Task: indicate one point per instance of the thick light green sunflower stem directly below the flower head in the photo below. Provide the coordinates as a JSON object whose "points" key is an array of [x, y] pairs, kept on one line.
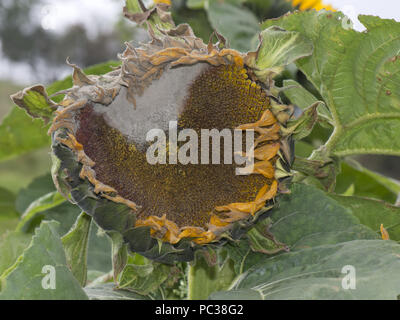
{"points": [[204, 277]]}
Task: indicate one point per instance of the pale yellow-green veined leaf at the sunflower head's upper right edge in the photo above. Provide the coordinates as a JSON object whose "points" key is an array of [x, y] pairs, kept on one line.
{"points": [[279, 48]]}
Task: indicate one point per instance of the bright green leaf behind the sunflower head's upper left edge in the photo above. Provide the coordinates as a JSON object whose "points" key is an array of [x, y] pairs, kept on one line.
{"points": [[20, 134]]}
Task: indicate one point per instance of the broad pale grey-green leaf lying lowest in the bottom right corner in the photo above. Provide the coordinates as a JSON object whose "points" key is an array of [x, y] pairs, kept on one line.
{"points": [[318, 273]]}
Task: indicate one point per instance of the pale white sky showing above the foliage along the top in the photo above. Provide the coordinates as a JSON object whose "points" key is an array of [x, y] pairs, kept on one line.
{"points": [[98, 15]]}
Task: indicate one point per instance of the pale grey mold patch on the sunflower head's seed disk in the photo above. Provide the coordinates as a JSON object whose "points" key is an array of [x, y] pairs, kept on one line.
{"points": [[160, 103]]}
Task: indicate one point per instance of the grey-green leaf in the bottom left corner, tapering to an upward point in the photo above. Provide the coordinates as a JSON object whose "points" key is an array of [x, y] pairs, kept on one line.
{"points": [[25, 279]]}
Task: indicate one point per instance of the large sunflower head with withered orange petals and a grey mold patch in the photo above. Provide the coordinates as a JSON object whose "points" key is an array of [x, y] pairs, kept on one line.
{"points": [[180, 147]]}
